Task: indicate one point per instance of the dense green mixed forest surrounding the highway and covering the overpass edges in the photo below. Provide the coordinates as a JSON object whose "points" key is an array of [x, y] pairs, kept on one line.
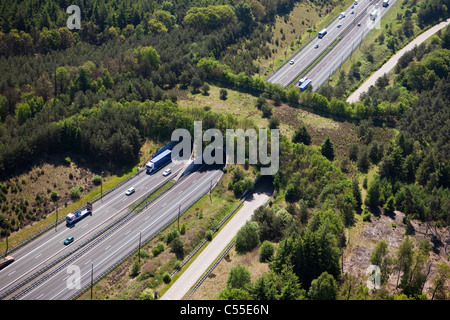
{"points": [[102, 91]]}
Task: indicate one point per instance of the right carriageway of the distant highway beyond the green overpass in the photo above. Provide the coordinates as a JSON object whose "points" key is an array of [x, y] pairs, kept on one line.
{"points": [[353, 37]]}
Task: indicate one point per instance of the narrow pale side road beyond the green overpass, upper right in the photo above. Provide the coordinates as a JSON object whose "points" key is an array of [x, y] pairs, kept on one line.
{"points": [[388, 66]]}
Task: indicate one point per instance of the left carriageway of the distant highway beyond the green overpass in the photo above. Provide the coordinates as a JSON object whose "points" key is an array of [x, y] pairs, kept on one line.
{"points": [[309, 53]]}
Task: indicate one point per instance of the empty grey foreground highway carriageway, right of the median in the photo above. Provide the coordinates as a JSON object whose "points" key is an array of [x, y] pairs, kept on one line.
{"points": [[118, 244]]}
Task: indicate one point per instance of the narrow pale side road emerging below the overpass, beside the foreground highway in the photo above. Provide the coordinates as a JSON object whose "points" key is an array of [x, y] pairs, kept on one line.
{"points": [[196, 269]]}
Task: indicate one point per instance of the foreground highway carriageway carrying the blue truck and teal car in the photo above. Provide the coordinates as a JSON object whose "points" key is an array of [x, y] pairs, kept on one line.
{"points": [[49, 246]]}
